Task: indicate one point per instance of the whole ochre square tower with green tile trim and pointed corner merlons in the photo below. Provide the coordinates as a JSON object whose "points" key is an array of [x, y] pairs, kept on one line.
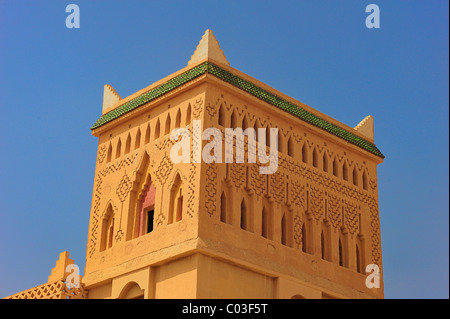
{"points": [[160, 229]]}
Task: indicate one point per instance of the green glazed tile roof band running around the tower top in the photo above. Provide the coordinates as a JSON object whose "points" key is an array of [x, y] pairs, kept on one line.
{"points": [[208, 67]]}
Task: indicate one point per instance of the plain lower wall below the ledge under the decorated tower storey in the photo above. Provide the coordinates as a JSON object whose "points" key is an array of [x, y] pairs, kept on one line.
{"points": [[204, 277]]}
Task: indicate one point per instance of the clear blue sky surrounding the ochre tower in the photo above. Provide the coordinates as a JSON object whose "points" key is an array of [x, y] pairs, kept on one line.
{"points": [[319, 52]]}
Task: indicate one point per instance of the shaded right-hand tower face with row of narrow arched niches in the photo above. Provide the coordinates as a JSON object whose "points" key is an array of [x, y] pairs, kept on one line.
{"points": [[317, 214]]}
